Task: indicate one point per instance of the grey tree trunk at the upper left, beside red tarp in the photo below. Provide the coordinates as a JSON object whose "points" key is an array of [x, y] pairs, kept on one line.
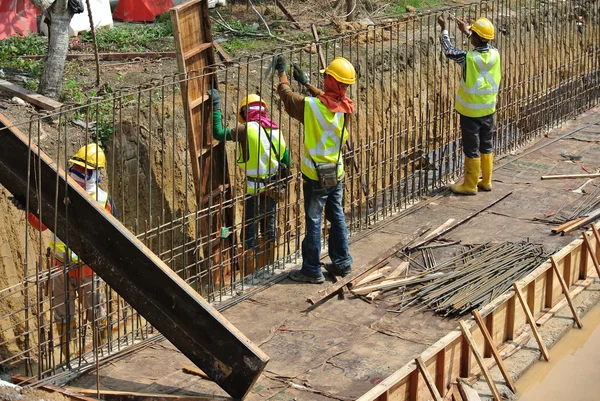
{"points": [[58, 46]]}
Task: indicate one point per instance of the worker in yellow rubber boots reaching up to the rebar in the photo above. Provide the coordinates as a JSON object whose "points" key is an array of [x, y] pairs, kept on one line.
{"points": [[475, 101]]}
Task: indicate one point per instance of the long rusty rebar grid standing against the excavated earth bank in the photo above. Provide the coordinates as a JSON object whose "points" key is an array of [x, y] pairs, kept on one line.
{"points": [[406, 143]]}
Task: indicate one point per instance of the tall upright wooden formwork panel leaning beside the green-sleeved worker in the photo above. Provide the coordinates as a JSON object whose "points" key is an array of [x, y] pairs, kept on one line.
{"points": [[195, 55]]}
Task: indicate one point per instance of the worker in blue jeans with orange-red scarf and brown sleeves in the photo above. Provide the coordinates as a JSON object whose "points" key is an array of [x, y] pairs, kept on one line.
{"points": [[324, 116]]}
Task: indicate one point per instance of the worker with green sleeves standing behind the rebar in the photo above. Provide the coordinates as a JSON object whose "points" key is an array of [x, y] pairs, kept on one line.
{"points": [[262, 155]]}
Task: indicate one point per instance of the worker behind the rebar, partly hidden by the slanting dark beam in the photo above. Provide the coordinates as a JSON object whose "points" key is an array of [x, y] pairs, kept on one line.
{"points": [[70, 277]]}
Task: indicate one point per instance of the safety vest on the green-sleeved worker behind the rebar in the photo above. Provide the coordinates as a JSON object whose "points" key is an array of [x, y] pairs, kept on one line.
{"points": [[262, 161]]}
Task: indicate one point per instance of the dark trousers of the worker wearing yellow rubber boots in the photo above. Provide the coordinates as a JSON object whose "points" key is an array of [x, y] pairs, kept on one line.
{"points": [[477, 135]]}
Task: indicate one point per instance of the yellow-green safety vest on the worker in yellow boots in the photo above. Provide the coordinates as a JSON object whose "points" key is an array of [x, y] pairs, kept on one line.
{"points": [[478, 90]]}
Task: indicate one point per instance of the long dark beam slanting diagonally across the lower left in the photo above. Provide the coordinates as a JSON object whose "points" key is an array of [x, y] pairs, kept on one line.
{"points": [[187, 320]]}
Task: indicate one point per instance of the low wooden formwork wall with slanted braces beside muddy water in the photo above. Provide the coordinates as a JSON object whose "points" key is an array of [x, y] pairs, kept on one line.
{"points": [[504, 318]]}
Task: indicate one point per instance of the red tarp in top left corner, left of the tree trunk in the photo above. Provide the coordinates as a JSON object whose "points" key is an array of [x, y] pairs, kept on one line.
{"points": [[17, 17]]}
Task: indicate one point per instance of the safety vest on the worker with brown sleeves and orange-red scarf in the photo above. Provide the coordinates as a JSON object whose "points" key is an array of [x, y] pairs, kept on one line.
{"points": [[322, 135]]}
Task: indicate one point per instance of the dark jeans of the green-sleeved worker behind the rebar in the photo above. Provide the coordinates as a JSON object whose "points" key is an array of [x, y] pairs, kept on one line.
{"points": [[260, 210]]}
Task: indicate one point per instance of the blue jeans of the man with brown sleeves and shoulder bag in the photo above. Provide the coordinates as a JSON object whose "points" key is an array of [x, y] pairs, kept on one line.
{"points": [[314, 201]]}
